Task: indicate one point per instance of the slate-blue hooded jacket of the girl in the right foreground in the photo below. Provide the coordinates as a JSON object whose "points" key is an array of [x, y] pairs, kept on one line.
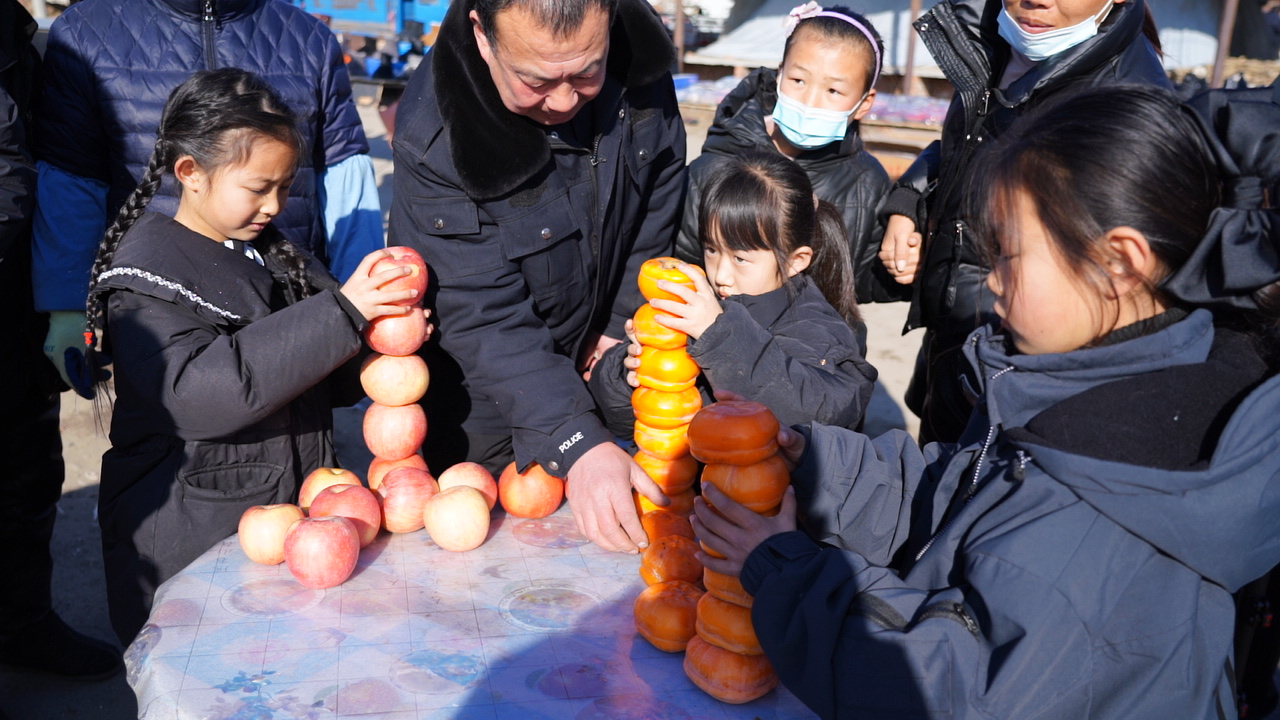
{"points": [[1073, 558]]}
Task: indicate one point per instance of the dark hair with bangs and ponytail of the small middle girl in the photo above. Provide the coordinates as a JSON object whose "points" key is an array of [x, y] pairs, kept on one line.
{"points": [[761, 200]]}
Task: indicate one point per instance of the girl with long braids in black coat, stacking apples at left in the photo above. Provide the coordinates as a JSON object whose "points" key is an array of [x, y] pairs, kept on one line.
{"points": [[223, 335]]}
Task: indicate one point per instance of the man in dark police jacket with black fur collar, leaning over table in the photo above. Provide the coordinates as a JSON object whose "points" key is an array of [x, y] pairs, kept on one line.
{"points": [[540, 161]]}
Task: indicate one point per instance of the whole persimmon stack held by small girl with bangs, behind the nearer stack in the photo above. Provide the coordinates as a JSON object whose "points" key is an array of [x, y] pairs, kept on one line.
{"points": [[665, 404]]}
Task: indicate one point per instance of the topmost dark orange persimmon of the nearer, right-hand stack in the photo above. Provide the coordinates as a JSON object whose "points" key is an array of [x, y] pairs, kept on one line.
{"points": [[737, 432]]}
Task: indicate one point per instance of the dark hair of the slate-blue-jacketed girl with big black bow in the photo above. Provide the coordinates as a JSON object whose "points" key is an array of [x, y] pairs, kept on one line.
{"points": [[1103, 160]]}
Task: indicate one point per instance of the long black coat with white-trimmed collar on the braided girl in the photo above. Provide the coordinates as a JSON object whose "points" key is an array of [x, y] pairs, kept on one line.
{"points": [[222, 400]]}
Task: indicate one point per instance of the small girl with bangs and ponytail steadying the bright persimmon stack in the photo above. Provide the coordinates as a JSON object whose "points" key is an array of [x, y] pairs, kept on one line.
{"points": [[775, 317]]}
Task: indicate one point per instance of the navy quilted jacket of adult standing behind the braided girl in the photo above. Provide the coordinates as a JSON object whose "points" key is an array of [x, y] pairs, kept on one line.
{"points": [[111, 66]]}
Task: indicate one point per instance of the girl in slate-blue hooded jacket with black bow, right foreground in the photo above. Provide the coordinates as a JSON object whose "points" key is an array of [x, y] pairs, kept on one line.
{"points": [[1076, 554]]}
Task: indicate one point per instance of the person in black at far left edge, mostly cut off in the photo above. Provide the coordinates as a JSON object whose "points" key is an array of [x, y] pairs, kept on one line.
{"points": [[33, 637]]}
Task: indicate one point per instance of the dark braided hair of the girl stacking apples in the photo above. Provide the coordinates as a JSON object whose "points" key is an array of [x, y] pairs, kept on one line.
{"points": [[216, 117]]}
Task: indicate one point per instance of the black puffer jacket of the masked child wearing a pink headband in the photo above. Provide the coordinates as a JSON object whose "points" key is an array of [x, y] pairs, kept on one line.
{"points": [[844, 175]]}
